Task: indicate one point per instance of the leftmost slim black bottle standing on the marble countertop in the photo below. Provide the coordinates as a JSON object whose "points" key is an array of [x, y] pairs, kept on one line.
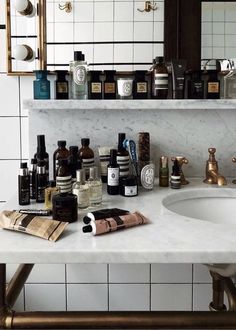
{"points": [[24, 185]]}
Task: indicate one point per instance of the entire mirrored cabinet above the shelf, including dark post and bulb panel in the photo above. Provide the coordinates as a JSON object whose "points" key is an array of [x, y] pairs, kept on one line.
{"points": [[188, 26]]}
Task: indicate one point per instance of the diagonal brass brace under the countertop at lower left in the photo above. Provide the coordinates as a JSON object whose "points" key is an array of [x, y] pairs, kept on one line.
{"points": [[17, 282]]}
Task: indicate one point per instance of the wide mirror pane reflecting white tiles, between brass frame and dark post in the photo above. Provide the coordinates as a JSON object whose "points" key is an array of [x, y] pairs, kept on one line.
{"points": [[106, 21]]}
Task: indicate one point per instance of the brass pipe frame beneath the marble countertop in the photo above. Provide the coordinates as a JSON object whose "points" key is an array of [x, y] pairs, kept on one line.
{"points": [[217, 319]]}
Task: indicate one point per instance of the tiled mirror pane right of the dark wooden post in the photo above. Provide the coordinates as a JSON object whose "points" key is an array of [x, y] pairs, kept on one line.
{"points": [[218, 30]]}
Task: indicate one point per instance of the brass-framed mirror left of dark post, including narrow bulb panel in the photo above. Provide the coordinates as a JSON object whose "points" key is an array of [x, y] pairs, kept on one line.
{"points": [[116, 34]]}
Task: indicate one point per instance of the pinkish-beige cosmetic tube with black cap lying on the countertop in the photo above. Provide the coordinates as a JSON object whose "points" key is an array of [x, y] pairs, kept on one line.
{"points": [[112, 224]]}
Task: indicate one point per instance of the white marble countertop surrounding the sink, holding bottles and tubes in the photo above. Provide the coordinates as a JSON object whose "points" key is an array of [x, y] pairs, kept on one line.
{"points": [[167, 239]]}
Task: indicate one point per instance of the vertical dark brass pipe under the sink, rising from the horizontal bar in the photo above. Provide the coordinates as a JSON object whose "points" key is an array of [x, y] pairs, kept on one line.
{"points": [[218, 288]]}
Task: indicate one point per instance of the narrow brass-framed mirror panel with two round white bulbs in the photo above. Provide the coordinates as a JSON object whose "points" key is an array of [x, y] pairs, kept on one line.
{"points": [[25, 31]]}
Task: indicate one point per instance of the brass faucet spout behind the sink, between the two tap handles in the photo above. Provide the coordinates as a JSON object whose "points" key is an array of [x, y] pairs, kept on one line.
{"points": [[212, 174]]}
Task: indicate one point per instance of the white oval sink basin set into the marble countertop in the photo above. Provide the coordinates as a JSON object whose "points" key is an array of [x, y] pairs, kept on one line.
{"points": [[217, 205]]}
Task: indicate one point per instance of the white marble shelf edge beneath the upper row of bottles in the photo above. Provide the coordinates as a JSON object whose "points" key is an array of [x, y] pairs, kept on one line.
{"points": [[128, 104]]}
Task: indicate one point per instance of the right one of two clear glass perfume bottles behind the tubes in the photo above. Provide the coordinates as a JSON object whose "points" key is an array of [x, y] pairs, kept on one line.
{"points": [[95, 187]]}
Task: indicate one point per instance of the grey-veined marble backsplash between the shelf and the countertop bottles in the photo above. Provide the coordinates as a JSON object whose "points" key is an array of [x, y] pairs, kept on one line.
{"points": [[186, 132]]}
